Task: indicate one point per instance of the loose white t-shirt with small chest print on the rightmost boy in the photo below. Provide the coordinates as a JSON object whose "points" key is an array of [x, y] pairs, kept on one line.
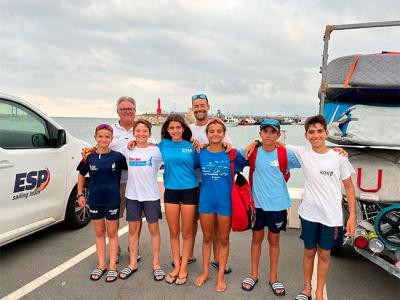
{"points": [[323, 173]]}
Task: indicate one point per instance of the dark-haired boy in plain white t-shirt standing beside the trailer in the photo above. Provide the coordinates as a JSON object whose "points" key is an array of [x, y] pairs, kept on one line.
{"points": [[320, 210]]}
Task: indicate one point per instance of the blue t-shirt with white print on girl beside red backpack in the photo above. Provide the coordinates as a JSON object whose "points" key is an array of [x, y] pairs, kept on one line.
{"points": [[217, 176]]}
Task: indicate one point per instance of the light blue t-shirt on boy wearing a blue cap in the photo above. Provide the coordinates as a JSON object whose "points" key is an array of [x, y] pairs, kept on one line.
{"points": [[269, 187]]}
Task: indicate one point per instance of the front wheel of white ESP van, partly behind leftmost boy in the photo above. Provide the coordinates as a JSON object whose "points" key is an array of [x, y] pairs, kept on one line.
{"points": [[76, 216]]}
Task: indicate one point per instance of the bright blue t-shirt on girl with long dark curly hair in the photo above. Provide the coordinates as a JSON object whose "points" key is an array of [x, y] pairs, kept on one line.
{"points": [[179, 164]]}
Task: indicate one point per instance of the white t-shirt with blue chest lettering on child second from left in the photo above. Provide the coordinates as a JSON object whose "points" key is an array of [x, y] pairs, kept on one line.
{"points": [[143, 165]]}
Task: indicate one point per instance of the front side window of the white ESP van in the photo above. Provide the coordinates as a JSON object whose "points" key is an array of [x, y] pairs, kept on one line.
{"points": [[21, 128]]}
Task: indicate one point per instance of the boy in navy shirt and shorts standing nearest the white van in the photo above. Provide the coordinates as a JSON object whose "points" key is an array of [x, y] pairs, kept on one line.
{"points": [[104, 167]]}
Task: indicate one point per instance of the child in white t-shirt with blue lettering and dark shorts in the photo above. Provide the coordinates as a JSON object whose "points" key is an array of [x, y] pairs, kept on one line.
{"points": [[143, 196]]}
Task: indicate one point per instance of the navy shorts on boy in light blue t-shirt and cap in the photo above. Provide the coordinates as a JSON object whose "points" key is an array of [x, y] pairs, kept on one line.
{"points": [[276, 221]]}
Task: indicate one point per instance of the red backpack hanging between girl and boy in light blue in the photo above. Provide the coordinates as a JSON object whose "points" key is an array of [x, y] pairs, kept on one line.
{"points": [[243, 208]]}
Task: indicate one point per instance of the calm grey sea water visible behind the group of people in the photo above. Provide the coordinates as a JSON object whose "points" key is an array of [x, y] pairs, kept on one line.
{"points": [[241, 136]]}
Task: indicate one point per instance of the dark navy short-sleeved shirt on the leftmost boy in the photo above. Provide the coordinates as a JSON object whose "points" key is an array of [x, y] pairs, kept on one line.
{"points": [[105, 176]]}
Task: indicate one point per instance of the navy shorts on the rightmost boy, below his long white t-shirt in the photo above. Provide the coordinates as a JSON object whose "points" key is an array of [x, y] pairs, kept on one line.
{"points": [[318, 235]]}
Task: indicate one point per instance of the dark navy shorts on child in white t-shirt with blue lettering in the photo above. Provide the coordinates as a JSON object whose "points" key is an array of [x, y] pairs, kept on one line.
{"points": [[151, 210]]}
